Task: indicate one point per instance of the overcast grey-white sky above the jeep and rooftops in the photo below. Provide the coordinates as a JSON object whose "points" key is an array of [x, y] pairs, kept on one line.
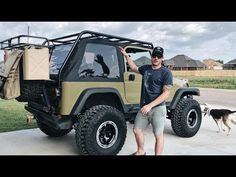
{"points": [[198, 40]]}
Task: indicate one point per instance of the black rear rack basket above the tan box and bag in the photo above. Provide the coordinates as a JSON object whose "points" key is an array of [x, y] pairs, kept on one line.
{"points": [[22, 41]]}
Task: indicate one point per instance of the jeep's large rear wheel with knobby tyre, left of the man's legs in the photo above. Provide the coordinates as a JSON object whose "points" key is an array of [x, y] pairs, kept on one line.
{"points": [[101, 131]]}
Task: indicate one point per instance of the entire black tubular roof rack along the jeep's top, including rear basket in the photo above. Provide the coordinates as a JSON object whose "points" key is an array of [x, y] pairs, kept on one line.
{"points": [[20, 41]]}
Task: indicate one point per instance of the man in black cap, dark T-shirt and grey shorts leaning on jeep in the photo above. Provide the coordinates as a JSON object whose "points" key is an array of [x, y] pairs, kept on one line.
{"points": [[156, 85]]}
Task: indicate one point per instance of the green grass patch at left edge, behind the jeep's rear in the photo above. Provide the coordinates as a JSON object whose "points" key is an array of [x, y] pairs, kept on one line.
{"points": [[13, 116]]}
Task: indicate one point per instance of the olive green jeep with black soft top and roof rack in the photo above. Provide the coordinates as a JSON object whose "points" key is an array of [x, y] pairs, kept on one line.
{"points": [[82, 82]]}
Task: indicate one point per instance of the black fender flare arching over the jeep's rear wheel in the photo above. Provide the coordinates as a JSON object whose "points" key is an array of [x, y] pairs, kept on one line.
{"points": [[90, 91]]}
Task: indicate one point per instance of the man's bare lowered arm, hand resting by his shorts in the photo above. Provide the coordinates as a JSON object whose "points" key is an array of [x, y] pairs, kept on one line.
{"points": [[163, 97]]}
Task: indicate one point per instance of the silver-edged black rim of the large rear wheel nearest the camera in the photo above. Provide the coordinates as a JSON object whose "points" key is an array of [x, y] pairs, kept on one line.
{"points": [[107, 134]]}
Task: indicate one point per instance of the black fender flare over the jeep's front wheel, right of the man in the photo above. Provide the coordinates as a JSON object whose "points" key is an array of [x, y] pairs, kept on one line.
{"points": [[180, 93]]}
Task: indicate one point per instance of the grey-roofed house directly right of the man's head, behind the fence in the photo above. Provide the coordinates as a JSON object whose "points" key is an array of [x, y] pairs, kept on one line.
{"points": [[183, 62]]}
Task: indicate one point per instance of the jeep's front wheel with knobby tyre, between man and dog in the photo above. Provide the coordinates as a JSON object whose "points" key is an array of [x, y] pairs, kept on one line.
{"points": [[186, 118]]}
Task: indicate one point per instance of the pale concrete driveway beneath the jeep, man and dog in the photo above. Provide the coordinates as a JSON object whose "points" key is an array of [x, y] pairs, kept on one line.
{"points": [[205, 142]]}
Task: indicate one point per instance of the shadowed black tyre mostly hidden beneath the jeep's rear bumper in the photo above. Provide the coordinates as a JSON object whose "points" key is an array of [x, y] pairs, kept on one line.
{"points": [[50, 131]]}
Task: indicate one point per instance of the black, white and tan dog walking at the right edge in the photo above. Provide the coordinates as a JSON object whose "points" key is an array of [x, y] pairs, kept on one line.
{"points": [[219, 115]]}
